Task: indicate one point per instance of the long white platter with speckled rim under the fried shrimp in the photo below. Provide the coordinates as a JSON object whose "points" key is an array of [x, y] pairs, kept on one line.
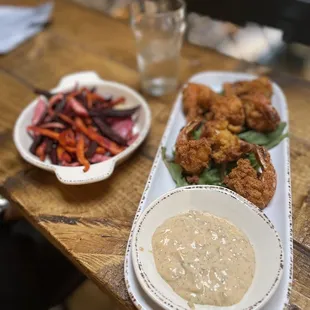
{"points": [[279, 210]]}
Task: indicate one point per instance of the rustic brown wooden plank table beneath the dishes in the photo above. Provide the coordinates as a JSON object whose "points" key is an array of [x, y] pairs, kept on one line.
{"points": [[90, 224]]}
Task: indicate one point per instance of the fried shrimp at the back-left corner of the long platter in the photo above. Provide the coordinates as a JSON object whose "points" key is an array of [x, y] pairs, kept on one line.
{"points": [[196, 100]]}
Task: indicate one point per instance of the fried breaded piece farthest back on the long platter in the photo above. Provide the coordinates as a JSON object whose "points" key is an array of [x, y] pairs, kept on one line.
{"points": [[261, 85]]}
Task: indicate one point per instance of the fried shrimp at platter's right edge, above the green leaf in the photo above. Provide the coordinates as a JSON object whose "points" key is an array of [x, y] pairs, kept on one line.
{"points": [[260, 115]]}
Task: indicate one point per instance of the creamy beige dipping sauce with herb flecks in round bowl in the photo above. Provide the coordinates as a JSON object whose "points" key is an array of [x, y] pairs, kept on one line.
{"points": [[205, 259]]}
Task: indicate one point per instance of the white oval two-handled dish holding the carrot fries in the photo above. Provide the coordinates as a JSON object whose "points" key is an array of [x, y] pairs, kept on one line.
{"points": [[100, 171]]}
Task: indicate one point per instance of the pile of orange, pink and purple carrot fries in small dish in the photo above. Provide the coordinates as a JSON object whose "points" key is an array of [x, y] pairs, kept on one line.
{"points": [[76, 127]]}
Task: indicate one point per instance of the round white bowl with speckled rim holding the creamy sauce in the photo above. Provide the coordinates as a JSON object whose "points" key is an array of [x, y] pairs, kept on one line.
{"points": [[223, 203]]}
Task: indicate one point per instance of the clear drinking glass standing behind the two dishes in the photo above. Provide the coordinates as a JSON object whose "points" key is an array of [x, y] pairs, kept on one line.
{"points": [[158, 26]]}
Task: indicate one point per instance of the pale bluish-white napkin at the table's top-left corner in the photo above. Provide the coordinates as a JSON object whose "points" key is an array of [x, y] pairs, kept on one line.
{"points": [[18, 24]]}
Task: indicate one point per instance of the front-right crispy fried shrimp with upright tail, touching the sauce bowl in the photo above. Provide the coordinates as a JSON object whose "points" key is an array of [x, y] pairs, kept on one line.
{"points": [[257, 187]]}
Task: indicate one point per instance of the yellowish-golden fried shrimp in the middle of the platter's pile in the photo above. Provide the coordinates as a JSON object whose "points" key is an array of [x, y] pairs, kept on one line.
{"points": [[226, 147]]}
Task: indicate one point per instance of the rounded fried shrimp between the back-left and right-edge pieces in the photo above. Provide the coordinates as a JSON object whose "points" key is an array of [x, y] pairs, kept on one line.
{"points": [[228, 108]]}
